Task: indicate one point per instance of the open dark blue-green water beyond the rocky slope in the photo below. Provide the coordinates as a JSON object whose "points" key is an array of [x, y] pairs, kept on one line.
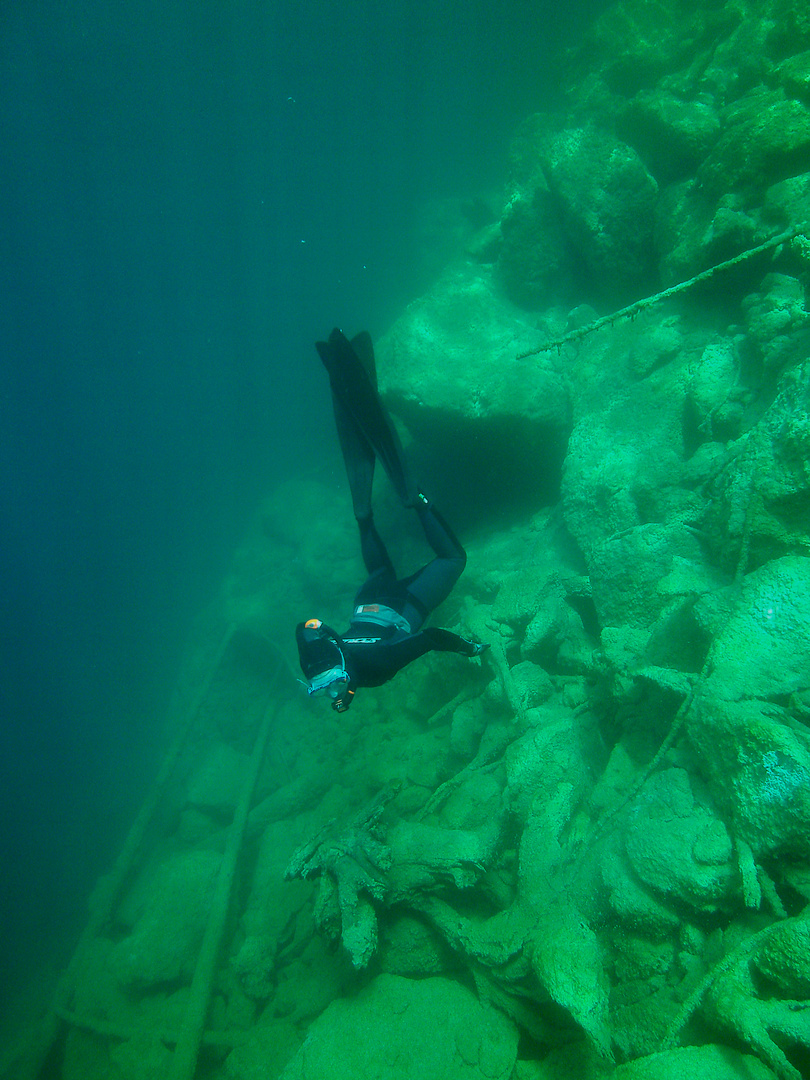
{"points": [[192, 194]]}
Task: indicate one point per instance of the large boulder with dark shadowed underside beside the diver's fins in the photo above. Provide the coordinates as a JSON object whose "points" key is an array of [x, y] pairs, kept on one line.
{"points": [[450, 371]]}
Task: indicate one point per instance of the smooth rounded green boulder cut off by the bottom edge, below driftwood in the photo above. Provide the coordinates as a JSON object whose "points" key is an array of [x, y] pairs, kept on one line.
{"points": [[408, 1031]]}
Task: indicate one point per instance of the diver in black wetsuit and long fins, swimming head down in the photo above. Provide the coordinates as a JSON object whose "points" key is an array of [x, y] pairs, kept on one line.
{"points": [[386, 631]]}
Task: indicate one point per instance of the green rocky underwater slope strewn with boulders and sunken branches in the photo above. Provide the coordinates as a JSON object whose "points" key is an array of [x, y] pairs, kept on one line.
{"points": [[589, 855]]}
